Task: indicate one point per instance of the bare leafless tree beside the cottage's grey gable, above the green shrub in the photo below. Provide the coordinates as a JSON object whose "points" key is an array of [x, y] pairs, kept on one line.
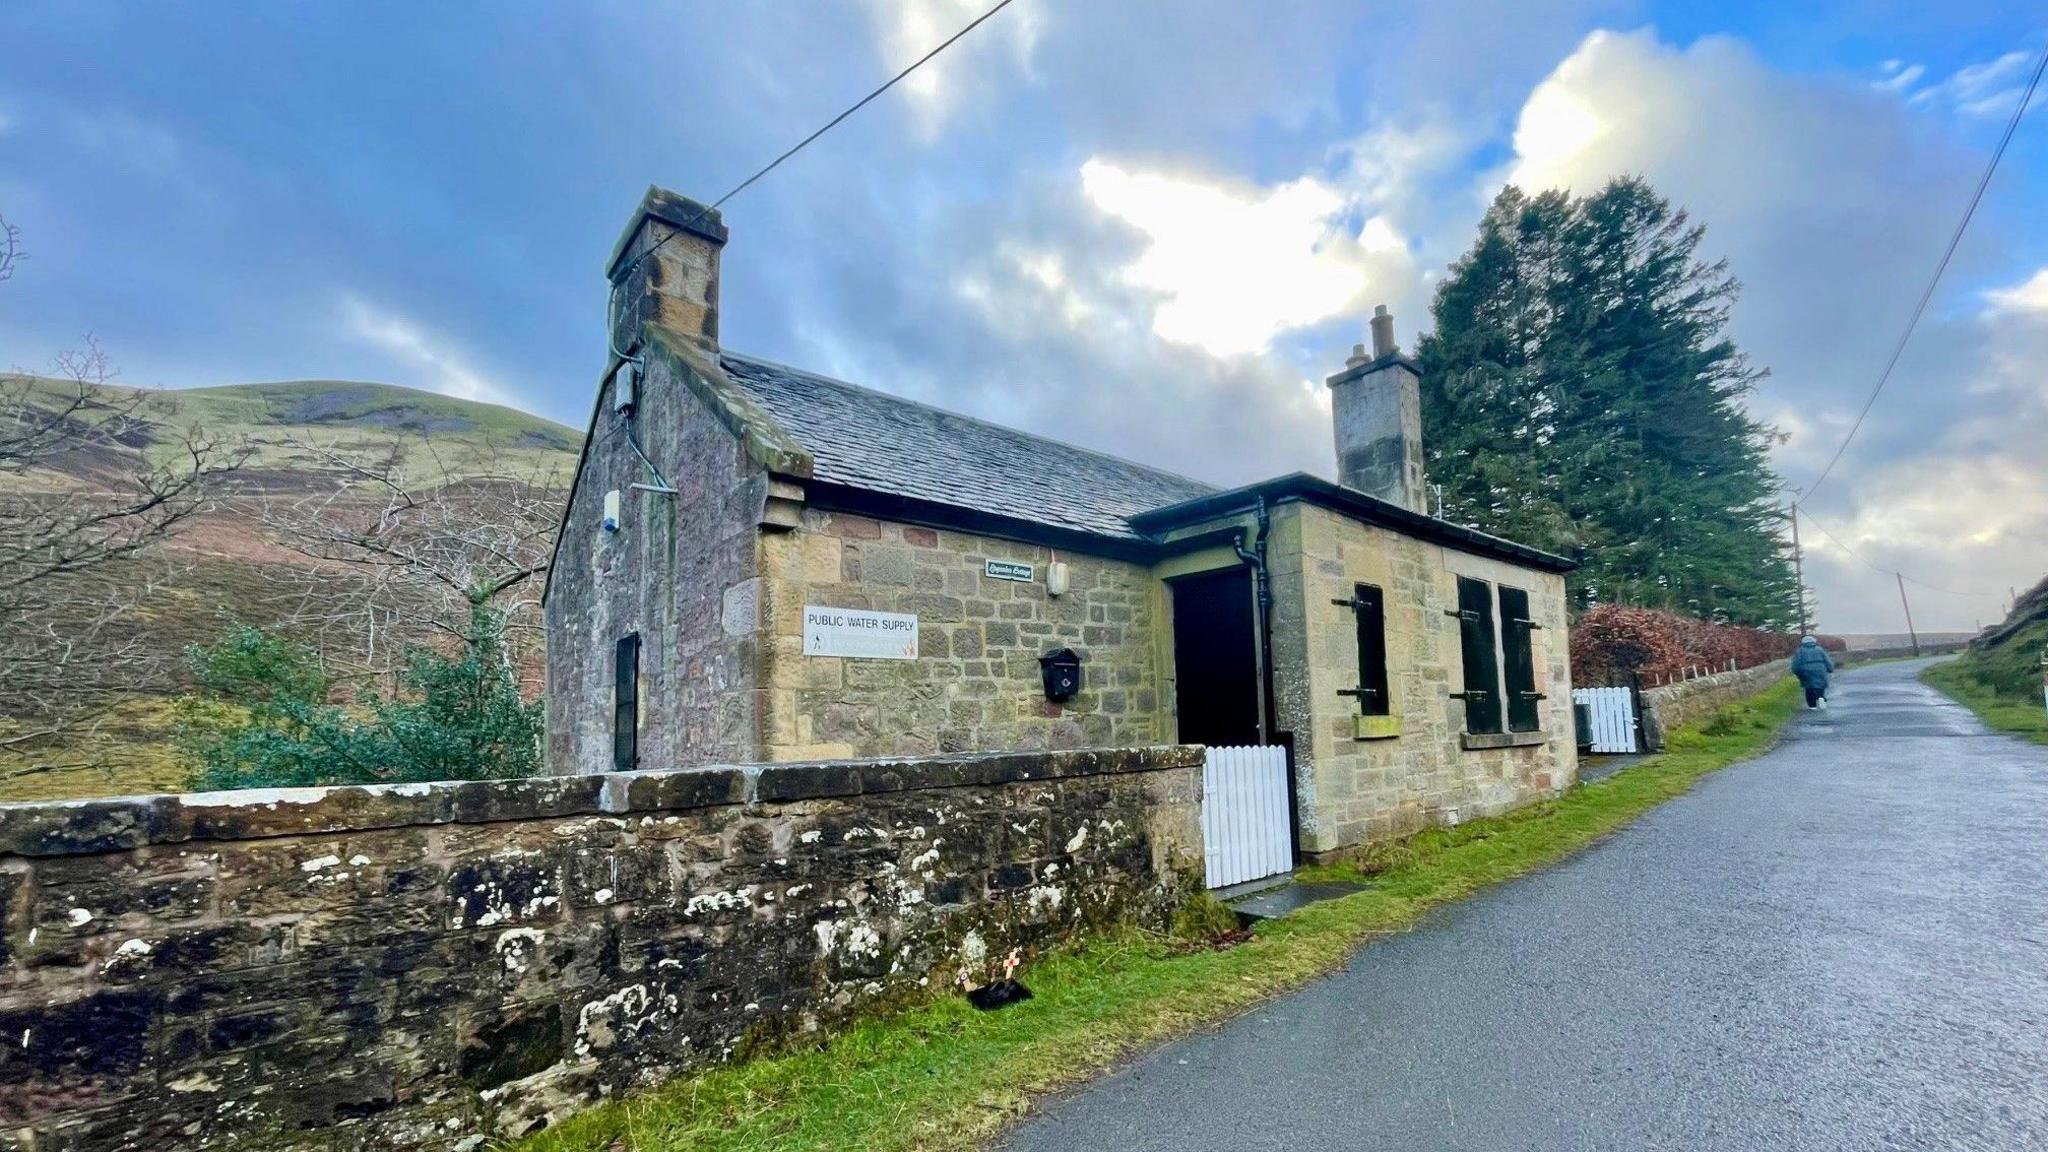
{"points": [[404, 552]]}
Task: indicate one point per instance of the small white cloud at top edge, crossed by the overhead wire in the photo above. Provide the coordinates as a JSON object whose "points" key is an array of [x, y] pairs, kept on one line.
{"points": [[906, 30]]}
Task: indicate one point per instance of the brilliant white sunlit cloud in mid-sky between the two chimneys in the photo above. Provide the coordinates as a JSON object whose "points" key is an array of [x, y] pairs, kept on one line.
{"points": [[1234, 268]]}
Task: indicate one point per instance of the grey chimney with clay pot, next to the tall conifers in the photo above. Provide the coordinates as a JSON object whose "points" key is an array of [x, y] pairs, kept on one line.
{"points": [[1377, 411]]}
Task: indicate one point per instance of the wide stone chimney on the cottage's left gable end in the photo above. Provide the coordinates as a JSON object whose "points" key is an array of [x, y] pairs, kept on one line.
{"points": [[679, 284]]}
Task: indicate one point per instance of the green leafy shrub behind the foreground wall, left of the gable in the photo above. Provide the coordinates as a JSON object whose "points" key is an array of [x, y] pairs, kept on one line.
{"points": [[265, 714]]}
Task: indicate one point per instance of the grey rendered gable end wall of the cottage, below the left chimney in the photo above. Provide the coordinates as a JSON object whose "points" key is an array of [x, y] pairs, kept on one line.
{"points": [[665, 575]]}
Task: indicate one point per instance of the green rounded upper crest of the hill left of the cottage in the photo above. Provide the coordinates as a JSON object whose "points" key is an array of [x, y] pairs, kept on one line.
{"points": [[292, 423]]}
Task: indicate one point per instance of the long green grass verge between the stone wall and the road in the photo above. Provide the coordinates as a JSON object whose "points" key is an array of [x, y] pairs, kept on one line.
{"points": [[947, 1077]]}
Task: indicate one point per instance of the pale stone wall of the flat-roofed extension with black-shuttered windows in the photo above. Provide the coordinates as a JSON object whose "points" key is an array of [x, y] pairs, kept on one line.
{"points": [[1355, 790]]}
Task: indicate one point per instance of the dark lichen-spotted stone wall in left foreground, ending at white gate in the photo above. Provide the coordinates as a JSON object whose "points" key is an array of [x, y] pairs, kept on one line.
{"points": [[435, 966]]}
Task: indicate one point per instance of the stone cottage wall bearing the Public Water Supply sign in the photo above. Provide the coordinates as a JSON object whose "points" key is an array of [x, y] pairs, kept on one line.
{"points": [[976, 682]]}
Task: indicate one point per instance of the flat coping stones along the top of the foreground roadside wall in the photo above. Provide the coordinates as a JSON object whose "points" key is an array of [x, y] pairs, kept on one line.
{"points": [[91, 827]]}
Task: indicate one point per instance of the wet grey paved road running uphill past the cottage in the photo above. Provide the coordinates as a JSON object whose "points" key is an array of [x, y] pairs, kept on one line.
{"points": [[1838, 946]]}
